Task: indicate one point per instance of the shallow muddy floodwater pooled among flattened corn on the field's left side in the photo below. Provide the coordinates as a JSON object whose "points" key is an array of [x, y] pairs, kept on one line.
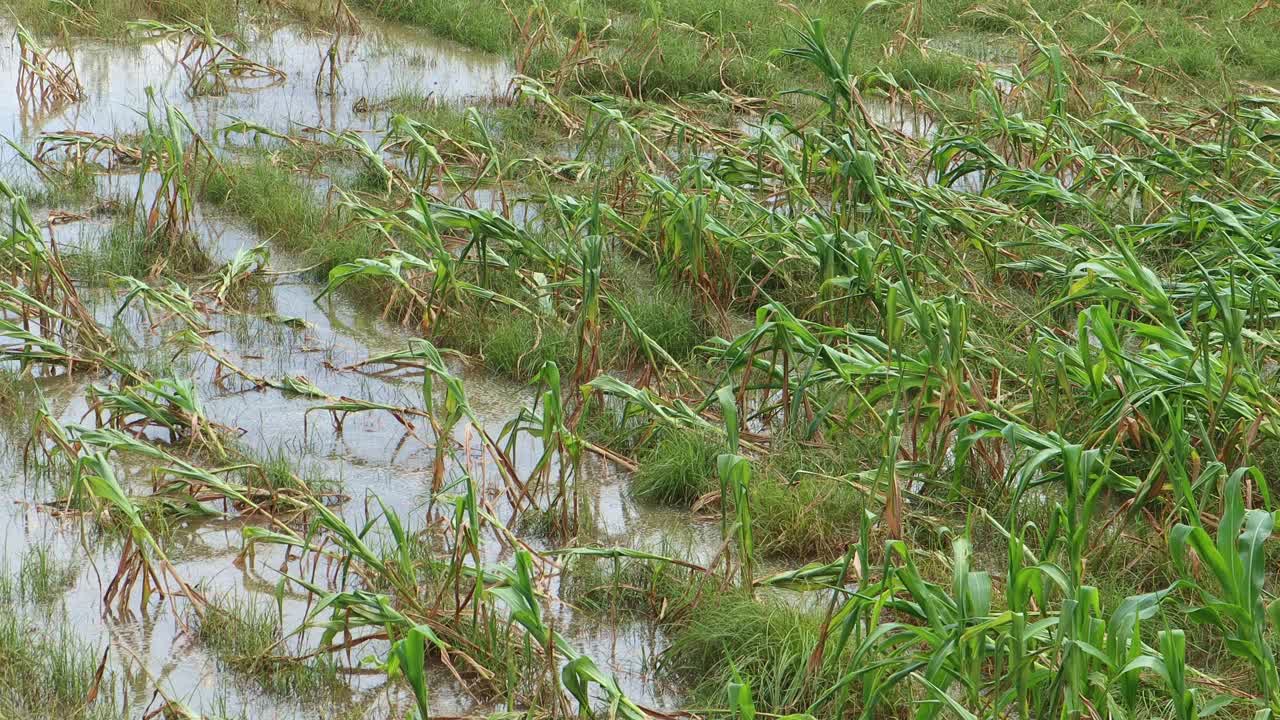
{"points": [[369, 455]]}
